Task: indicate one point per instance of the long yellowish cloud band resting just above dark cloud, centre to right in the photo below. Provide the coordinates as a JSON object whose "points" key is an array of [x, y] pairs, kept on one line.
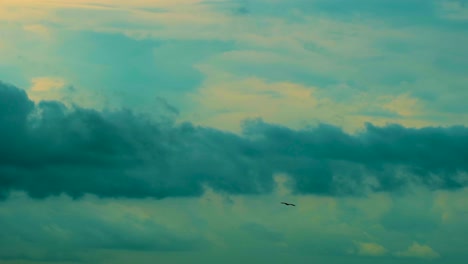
{"points": [[224, 100]]}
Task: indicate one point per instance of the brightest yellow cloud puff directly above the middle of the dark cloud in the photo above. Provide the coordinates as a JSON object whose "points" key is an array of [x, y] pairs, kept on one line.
{"points": [[233, 101]]}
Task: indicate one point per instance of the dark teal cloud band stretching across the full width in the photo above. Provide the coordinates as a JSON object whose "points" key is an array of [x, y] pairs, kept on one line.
{"points": [[48, 149]]}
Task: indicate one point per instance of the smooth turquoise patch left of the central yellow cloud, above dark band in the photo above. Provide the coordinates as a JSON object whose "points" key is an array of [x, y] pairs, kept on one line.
{"points": [[162, 68]]}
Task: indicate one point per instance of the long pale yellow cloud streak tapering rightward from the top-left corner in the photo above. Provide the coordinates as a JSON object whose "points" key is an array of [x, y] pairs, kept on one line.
{"points": [[188, 19]]}
